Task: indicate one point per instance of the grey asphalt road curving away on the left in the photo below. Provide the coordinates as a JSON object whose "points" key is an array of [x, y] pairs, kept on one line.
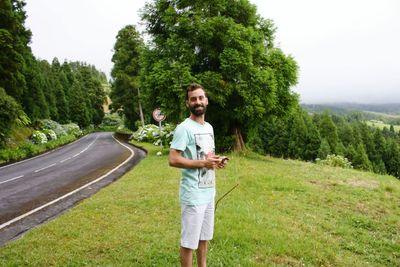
{"points": [[29, 184]]}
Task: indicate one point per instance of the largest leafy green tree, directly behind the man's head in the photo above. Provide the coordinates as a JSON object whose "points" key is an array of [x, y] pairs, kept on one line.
{"points": [[229, 49]]}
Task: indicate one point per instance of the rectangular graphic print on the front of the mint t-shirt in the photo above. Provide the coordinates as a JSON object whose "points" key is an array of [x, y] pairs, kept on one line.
{"points": [[205, 149]]}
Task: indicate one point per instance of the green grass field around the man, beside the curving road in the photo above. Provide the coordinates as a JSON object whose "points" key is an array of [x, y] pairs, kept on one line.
{"points": [[283, 213]]}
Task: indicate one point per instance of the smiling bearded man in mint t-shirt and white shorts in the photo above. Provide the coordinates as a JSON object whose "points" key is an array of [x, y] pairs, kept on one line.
{"points": [[192, 150]]}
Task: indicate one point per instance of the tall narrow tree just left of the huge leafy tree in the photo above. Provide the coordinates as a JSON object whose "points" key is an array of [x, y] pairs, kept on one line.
{"points": [[125, 74]]}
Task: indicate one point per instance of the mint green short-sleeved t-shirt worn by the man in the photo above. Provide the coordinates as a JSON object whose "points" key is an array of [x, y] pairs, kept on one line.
{"points": [[196, 141]]}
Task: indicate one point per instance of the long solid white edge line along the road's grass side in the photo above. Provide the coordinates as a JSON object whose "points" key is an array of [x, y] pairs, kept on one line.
{"points": [[70, 193]]}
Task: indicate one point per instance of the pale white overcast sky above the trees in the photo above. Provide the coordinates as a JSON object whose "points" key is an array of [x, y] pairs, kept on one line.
{"points": [[347, 50]]}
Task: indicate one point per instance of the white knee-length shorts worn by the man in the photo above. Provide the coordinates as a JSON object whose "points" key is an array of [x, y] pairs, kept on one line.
{"points": [[197, 223]]}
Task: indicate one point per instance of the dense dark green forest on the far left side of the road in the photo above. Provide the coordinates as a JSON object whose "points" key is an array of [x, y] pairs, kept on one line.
{"points": [[33, 89]]}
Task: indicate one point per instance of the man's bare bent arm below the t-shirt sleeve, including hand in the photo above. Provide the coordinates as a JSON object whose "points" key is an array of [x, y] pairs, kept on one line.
{"points": [[177, 160]]}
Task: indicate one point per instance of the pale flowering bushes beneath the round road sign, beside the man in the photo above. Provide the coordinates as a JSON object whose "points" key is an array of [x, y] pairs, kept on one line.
{"points": [[151, 133]]}
